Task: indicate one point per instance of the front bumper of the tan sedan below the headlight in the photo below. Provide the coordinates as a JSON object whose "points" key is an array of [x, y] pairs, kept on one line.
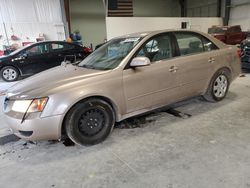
{"points": [[47, 128]]}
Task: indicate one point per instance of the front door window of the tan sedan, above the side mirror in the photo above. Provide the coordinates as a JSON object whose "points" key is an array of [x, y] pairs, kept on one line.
{"points": [[156, 49]]}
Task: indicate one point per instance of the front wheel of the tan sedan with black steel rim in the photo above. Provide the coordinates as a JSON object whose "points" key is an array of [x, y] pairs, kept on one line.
{"points": [[90, 122]]}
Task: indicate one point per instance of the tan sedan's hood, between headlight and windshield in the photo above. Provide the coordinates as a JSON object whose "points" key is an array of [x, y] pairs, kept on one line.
{"points": [[51, 81]]}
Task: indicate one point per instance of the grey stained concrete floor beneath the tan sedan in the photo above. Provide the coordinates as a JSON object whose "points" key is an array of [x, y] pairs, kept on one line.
{"points": [[211, 149]]}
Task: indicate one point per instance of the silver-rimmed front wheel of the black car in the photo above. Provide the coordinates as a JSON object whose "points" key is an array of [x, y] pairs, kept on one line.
{"points": [[10, 74]]}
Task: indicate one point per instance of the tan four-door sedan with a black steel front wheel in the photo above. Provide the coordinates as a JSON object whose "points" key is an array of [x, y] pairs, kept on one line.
{"points": [[127, 76]]}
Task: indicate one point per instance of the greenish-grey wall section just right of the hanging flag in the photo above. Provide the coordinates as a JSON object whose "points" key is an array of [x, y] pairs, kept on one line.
{"points": [[156, 8]]}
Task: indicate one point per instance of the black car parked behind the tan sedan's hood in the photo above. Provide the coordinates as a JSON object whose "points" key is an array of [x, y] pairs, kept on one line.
{"points": [[38, 57]]}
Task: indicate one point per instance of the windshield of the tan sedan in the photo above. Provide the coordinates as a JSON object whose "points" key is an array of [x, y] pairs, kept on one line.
{"points": [[110, 55]]}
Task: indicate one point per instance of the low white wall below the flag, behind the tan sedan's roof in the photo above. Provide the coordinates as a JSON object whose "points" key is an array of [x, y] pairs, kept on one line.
{"points": [[120, 26]]}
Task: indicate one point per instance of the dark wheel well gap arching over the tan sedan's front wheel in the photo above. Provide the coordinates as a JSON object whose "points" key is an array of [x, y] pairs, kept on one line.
{"points": [[110, 102]]}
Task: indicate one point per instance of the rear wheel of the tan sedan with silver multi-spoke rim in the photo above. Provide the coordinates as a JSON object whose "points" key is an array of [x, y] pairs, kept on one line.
{"points": [[213, 95]]}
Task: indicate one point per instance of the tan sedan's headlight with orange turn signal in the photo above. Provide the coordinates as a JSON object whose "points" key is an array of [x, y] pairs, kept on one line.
{"points": [[30, 106]]}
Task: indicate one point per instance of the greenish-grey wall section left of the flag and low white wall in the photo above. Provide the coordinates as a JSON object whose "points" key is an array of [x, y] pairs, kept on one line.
{"points": [[88, 16]]}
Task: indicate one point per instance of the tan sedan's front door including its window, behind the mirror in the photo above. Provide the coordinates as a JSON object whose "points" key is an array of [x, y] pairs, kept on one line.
{"points": [[155, 85]]}
